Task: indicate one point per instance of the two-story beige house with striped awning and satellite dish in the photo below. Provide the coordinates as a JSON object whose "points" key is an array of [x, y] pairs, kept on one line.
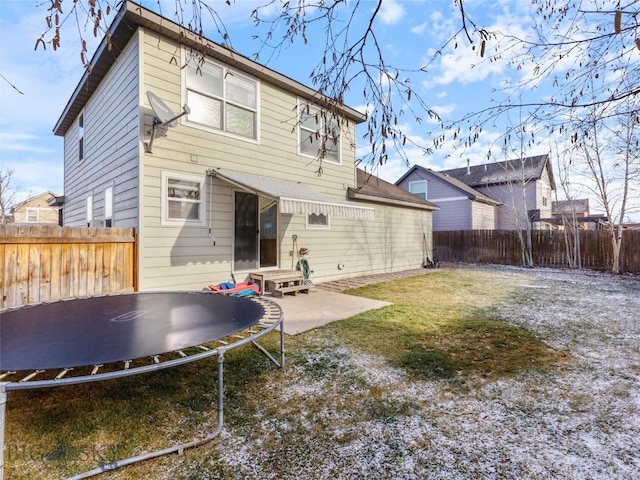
{"points": [[230, 187]]}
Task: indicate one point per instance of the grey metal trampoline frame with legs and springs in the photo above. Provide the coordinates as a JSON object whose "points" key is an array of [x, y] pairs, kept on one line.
{"points": [[272, 318]]}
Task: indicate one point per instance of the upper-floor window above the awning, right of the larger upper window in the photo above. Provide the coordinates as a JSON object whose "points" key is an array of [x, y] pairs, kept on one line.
{"points": [[319, 133]]}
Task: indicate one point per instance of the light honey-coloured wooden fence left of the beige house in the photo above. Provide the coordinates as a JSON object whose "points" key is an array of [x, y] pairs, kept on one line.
{"points": [[46, 262]]}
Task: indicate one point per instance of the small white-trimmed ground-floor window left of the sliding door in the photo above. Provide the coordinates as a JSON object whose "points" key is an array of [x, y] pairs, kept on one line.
{"points": [[182, 199]]}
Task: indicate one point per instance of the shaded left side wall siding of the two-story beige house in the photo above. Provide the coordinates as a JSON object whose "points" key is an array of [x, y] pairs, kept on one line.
{"points": [[110, 147]]}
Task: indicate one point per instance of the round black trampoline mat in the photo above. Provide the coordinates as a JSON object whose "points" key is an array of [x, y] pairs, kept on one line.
{"points": [[100, 330]]}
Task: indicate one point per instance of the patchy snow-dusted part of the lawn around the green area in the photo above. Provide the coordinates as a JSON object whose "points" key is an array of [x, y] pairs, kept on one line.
{"points": [[347, 415]]}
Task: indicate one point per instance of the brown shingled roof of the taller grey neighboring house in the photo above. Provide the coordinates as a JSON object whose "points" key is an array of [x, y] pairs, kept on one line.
{"points": [[528, 168]]}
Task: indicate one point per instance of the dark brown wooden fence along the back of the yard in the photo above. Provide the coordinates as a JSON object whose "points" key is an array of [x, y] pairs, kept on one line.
{"points": [[549, 248]]}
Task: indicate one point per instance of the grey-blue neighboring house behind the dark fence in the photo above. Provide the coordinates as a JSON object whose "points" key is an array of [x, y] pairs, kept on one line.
{"points": [[501, 195]]}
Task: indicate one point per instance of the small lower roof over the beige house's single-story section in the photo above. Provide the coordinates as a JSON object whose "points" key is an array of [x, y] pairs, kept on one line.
{"points": [[375, 189]]}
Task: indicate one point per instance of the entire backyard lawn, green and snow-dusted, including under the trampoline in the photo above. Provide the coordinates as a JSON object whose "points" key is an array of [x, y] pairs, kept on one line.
{"points": [[471, 373]]}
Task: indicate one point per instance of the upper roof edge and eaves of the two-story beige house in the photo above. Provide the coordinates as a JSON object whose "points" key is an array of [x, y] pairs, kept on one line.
{"points": [[126, 22]]}
